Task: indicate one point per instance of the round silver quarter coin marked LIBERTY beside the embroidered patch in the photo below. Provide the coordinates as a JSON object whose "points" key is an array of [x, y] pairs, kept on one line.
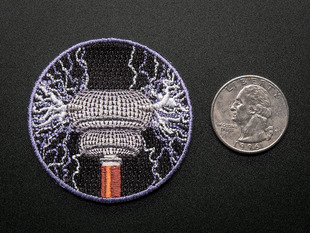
{"points": [[249, 114]]}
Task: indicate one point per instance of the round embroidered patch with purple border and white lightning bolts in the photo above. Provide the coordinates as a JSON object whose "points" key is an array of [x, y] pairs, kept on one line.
{"points": [[110, 120]]}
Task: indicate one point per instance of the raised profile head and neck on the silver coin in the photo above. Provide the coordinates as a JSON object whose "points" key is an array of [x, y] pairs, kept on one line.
{"points": [[251, 112]]}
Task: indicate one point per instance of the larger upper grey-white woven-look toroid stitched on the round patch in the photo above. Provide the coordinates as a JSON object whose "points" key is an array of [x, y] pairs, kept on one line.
{"points": [[93, 109]]}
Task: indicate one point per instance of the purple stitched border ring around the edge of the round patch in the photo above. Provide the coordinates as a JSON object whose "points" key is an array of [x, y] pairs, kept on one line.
{"points": [[91, 197]]}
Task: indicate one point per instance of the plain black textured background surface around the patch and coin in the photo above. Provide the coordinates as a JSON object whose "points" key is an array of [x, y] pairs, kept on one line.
{"points": [[208, 42]]}
